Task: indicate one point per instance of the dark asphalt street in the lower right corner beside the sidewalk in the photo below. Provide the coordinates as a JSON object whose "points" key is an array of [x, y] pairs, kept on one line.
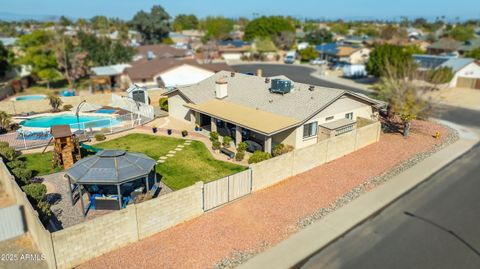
{"points": [[434, 226]]}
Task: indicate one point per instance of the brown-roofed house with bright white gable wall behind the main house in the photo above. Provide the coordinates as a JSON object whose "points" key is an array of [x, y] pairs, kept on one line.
{"points": [[169, 72]]}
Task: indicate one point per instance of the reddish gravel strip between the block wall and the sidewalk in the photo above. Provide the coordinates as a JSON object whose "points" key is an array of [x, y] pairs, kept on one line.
{"points": [[235, 232]]}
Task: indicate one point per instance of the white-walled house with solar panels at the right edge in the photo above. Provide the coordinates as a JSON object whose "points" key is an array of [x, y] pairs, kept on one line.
{"points": [[466, 71]]}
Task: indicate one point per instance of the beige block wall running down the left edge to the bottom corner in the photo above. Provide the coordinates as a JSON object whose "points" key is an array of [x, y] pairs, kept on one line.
{"points": [[38, 233]]}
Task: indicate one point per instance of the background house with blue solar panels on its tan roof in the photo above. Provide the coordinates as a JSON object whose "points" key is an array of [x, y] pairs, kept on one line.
{"points": [[343, 53]]}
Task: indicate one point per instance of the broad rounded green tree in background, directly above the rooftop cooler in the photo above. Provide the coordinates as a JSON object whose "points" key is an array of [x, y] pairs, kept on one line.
{"points": [[270, 27]]}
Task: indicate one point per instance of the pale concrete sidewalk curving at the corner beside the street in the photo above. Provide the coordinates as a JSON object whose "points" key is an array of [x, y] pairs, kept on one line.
{"points": [[299, 246]]}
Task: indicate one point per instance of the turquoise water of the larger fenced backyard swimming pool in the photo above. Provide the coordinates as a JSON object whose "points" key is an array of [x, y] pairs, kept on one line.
{"points": [[85, 121]]}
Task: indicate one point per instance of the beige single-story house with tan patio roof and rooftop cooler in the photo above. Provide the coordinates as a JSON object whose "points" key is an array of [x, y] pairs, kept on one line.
{"points": [[246, 108]]}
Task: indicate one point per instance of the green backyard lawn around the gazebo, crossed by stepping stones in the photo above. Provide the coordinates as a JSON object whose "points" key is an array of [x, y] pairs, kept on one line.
{"points": [[193, 164]]}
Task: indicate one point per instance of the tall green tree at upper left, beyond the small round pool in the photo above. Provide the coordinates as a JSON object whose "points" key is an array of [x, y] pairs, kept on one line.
{"points": [[39, 52]]}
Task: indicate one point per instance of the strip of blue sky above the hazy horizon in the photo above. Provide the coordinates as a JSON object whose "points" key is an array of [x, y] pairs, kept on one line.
{"points": [[349, 9]]}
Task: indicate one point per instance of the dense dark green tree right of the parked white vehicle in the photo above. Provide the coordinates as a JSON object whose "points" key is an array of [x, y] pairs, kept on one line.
{"points": [[383, 55]]}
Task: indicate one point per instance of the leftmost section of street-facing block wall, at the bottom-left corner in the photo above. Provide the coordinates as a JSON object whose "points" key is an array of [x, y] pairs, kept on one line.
{"points": [[82, 242]]}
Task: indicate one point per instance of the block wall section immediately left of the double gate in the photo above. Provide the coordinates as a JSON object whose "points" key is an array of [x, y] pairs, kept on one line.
{"points": [[169, 210]]}
